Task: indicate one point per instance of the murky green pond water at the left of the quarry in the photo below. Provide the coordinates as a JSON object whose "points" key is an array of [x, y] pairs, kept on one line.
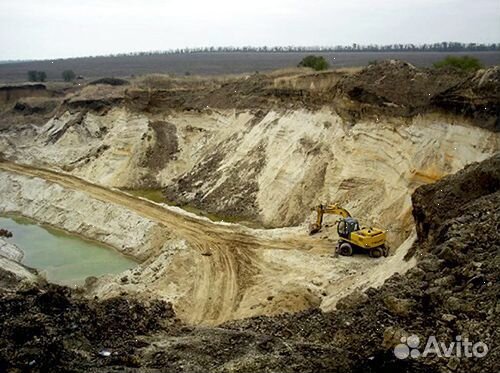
{"points": [[61, 257]]}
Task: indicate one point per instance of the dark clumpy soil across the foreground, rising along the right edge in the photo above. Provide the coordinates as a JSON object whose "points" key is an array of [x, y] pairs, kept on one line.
{"points": [[453, 291]]}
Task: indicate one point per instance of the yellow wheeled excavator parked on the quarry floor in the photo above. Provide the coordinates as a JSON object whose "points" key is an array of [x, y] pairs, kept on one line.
{"points": [[351, 236]]}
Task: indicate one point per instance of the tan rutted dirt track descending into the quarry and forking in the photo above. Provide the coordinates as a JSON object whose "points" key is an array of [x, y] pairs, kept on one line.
{"points": [[220, 276]]}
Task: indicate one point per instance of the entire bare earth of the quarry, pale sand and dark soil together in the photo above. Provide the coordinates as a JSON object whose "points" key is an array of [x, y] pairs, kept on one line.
{"points": [[209, 184]]}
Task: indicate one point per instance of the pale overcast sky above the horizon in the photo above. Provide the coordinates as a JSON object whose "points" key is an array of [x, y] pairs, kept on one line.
{"points": [[36, 29]]}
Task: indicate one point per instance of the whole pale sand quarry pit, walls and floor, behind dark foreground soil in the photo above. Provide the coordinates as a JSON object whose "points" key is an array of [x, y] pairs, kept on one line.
{"points": [[278, 148]]}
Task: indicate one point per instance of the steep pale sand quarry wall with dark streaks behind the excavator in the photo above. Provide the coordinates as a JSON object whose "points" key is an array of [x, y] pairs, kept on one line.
{"points": [[270, 168]]}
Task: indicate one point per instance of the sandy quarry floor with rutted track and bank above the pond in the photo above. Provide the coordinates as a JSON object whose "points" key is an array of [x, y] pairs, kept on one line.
{"points": [[211, 272]]}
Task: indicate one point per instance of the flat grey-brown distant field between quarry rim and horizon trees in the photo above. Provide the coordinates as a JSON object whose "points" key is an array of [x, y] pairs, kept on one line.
{"points": [[213, 63]]}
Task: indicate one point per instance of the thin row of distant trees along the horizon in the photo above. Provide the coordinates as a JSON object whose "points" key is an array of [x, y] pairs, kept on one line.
{"points": [[434, 47]]}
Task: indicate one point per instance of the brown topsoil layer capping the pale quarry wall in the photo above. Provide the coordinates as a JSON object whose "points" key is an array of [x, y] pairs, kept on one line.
{"points": [[388, 88]]}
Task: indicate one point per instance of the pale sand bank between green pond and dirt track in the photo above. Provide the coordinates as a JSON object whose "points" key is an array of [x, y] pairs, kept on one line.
{"points": [[76, 212]]}
